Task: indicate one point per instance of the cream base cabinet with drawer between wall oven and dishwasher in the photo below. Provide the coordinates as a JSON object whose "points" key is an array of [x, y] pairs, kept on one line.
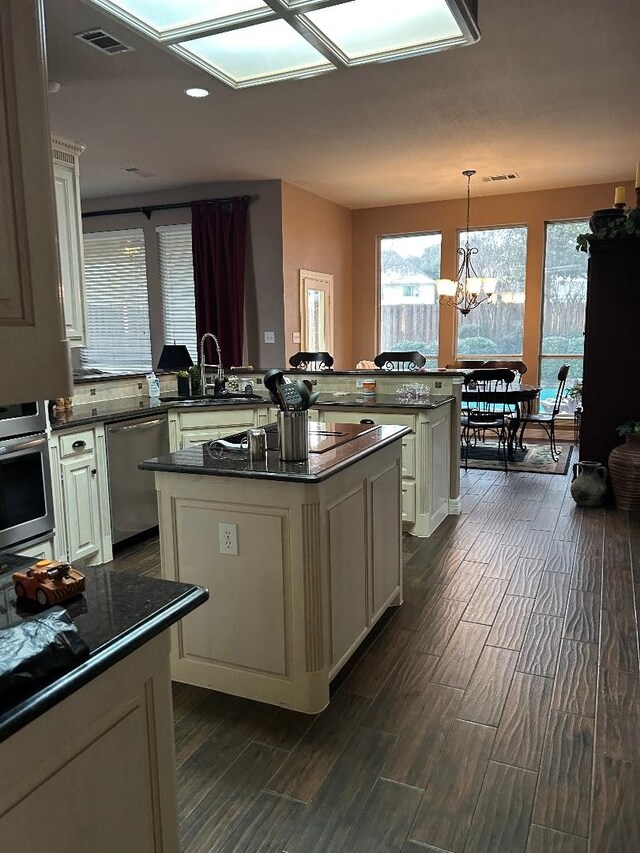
{"points": [[81, 496]]}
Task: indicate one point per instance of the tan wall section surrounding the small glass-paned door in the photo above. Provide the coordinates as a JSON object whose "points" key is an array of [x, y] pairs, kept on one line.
{"points": [[316, 235]]}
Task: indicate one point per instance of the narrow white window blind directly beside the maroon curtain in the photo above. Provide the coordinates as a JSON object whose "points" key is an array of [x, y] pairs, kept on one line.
{"points": [[178, 294]]}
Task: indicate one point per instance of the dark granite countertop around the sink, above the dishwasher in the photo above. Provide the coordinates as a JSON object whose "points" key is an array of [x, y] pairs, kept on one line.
{"points": [[132, 407]]}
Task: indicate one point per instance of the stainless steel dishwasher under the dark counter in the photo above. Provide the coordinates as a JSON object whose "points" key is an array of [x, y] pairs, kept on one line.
{"points": [[134, 507]]}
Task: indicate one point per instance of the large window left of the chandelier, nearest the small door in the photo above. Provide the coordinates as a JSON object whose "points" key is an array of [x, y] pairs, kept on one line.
{"points": [[409, 267]]}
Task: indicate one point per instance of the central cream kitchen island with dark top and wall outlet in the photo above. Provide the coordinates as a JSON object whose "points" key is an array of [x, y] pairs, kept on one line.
{"points": [[302, 559]]}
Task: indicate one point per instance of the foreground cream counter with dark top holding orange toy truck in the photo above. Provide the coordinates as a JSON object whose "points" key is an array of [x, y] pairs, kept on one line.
{"points": [[87, 755]]}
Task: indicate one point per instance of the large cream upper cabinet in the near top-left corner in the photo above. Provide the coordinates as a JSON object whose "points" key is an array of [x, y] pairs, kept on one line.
{"points": [[31, 323]]}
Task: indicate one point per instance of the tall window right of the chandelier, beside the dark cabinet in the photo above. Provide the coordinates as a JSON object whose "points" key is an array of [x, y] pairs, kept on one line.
{"points": [[565, 293]]}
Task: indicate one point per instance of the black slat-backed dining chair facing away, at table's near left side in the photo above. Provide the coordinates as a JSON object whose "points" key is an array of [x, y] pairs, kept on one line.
{"points": [[489, 413]]}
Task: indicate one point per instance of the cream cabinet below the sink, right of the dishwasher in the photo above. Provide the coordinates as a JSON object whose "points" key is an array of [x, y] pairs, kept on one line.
{"points": [[191, 426]]}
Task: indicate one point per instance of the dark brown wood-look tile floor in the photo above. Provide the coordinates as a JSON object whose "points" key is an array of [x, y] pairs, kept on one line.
{"points": [[497, 710]]}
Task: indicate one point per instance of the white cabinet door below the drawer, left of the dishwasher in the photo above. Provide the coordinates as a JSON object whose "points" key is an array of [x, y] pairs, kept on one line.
{"points": [[82, 506]]}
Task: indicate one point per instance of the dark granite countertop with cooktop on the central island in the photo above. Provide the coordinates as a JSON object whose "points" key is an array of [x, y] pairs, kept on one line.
{"points": [[205, 459]]}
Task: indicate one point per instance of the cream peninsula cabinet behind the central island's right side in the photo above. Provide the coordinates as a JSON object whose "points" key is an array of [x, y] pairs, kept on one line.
{"points": [[426, 455]]}
